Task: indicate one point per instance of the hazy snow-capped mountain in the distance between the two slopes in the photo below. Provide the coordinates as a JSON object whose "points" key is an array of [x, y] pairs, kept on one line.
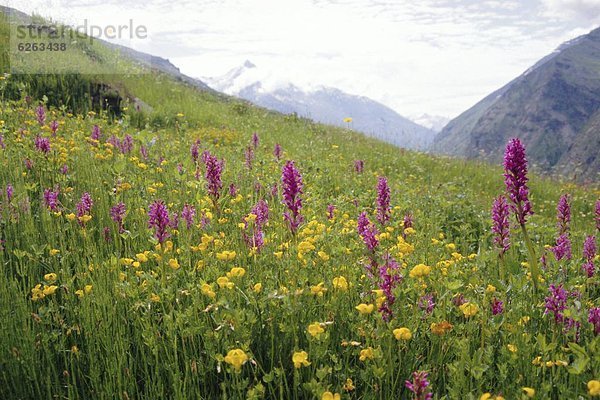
{"points": [[322, 104]]}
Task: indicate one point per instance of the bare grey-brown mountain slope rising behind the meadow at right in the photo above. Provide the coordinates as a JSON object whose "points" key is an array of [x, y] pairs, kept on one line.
{"points": [[554, 107]]}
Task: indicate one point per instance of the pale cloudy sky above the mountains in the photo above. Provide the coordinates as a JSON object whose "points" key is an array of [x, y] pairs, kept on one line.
{"points": [[423, 56]]}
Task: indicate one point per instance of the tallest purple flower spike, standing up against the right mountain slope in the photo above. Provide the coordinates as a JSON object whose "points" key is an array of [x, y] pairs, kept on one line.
{"points": [[515, 179]]}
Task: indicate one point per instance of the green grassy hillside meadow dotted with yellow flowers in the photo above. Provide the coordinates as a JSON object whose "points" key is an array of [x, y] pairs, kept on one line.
{"points": [[96, 304]]}
